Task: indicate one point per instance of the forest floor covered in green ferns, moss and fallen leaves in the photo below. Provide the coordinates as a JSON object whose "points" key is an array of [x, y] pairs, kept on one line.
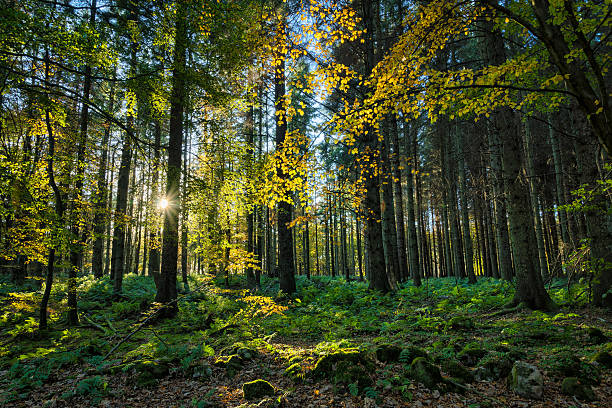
{"points": [[336, 344]]}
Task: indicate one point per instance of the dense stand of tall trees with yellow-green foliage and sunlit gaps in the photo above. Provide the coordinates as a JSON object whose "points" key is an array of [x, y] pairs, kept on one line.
{"points": [[379, 140]]}
